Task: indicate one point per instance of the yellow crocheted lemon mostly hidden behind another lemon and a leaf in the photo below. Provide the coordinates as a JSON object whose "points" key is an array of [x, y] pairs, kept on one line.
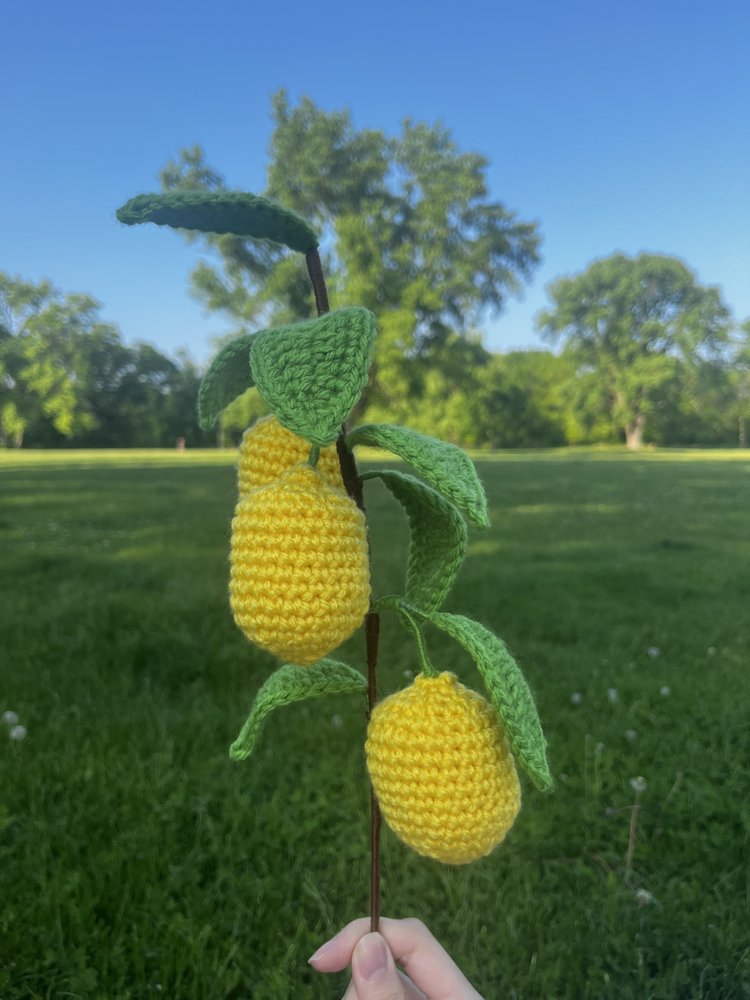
{"points": [[268, 449]]}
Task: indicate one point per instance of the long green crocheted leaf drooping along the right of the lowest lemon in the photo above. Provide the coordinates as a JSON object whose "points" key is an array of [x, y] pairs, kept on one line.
{"points": [[507, 689]]}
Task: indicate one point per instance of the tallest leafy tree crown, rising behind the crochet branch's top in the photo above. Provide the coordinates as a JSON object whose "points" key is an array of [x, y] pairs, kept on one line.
{"points": [[409, 231]]}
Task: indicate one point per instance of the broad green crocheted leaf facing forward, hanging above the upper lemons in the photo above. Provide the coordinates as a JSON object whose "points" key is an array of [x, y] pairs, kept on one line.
{"points": [[311, 374]]}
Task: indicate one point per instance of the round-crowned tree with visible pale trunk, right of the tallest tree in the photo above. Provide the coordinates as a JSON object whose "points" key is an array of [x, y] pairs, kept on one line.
{"points": [[628, 323]]}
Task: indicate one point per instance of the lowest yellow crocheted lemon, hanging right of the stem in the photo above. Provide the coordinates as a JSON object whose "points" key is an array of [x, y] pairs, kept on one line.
{"points": [[446, 782]]}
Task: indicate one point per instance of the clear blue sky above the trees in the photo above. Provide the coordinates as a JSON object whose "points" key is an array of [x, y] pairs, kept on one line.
{"points": [[617, 126]]}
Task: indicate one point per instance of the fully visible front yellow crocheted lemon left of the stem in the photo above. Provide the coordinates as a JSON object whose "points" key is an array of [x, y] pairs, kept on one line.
{"points": [[300, 577]]}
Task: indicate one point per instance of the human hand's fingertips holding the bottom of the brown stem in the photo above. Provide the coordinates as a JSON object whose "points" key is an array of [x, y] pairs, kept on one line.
{"points": [[432, 973]]}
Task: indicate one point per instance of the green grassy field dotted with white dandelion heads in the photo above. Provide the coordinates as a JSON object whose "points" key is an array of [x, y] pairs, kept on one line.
{"points": [[137, 861]]}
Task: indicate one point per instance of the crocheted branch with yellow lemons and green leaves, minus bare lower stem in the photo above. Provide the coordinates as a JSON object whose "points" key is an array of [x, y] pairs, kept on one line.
{"points": [[441, 757]]}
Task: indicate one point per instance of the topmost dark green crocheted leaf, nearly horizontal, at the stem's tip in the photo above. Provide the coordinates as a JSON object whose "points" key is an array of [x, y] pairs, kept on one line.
{"points": [[235, 212]]}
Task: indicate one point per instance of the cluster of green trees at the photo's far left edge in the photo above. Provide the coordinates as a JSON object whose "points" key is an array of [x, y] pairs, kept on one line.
{"points": [[67, 377]]}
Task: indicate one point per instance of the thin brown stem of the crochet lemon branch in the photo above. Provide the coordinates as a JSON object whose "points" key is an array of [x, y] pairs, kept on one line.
{"points": [[353, 485]]}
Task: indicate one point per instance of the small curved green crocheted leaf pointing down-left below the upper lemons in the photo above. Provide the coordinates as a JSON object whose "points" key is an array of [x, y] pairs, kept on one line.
{"points": [[289, 684]]}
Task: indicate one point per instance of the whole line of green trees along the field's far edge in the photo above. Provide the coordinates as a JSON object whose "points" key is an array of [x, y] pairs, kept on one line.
{"points": [[646, 353]]}
